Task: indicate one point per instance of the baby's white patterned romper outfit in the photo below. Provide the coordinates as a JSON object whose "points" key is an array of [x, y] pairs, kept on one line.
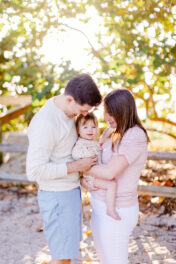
{"points": [[85, 148]]}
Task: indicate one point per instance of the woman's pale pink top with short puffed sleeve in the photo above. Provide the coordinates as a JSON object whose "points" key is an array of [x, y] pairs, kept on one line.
{"points": [[134, 147]]}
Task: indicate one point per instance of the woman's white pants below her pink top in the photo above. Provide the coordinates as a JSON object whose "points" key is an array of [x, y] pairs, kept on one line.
{"points": [[111, 236]]}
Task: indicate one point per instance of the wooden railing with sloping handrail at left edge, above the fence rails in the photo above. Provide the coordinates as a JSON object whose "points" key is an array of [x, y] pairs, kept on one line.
{"points": [[23, 103]]}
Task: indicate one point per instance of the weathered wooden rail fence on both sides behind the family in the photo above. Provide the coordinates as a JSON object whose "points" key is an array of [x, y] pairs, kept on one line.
{"points": [[26, 103]]}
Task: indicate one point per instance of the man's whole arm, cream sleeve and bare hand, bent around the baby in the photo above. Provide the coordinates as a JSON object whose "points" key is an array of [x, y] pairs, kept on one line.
{"points": [[41, 144]]}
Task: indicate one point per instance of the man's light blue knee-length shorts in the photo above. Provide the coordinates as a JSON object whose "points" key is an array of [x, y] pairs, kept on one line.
{"points": [[62, 216]]}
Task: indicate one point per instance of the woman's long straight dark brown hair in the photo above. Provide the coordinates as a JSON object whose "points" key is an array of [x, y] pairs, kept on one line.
{"points": [[121, 105]]}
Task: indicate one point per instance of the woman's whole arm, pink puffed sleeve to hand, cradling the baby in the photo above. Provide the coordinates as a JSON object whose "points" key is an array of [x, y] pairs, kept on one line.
{"points": [[132, 146]]}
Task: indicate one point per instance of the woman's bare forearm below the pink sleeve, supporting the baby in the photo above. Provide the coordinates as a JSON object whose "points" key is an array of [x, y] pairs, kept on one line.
{"points": [[111, 170]]}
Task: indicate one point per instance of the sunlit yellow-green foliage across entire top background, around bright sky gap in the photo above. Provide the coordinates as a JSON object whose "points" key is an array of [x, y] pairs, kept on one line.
{"points": [[139, 40]]}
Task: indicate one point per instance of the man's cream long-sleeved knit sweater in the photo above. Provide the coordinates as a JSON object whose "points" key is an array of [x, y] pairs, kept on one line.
{"points": [[52, 135]]}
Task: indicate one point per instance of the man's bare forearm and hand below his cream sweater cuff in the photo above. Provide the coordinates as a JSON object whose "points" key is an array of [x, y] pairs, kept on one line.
{"points": [[81, 164]]}
